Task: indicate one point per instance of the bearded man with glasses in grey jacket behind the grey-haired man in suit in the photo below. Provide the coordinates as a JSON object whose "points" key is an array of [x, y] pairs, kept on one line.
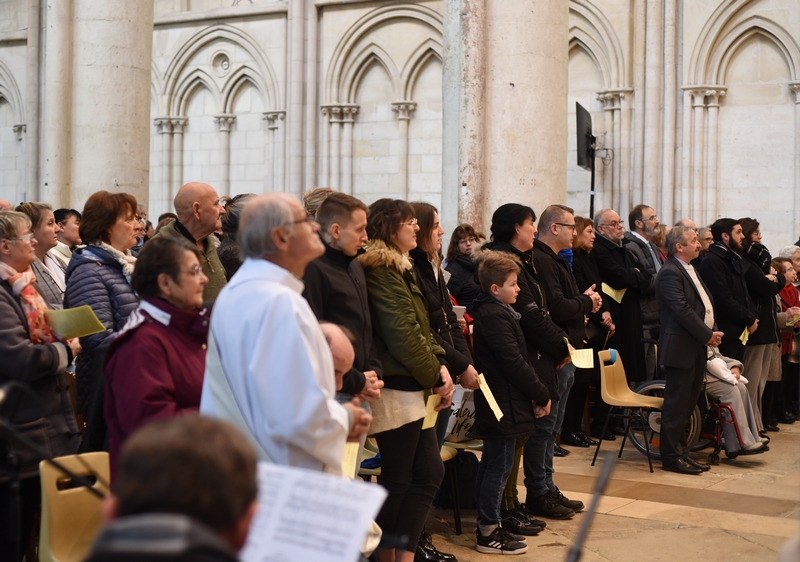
{"points": [[644, 222]]}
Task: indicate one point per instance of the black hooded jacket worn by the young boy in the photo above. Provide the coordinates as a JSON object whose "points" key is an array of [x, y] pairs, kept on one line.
{"points": [[502, 356]]}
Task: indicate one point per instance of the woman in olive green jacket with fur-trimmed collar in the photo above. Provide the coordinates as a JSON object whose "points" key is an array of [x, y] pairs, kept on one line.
{"points": [[413, 363]]}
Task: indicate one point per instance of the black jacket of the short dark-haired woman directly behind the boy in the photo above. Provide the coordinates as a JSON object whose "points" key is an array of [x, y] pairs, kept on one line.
{"points": [[543, 338]]}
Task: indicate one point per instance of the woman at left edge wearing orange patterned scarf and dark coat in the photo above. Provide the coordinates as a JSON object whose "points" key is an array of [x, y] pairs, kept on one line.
{"points": [[30, 352]]}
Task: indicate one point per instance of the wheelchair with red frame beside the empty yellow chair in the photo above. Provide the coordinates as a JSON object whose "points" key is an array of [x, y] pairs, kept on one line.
{"points": [[704, 429]]}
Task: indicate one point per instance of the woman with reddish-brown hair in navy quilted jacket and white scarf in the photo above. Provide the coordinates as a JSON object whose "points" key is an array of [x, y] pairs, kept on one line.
{"points": [[99, 275]]}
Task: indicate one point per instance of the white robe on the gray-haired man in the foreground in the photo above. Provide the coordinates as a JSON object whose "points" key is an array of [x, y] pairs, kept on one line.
{"points": [[279, 368]]}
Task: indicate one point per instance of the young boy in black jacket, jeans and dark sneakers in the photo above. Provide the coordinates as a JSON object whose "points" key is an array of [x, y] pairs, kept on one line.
{"points": [[501, 355]]}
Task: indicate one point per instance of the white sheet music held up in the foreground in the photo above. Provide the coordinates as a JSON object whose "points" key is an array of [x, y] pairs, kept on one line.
{"points": [[305, 515]]}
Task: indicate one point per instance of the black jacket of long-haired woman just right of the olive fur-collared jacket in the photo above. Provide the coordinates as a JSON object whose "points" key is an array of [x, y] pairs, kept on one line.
{"points": [[444, 323]]}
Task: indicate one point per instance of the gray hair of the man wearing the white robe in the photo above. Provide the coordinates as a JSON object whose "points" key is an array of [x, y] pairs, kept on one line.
{"points": [[262, 215]]}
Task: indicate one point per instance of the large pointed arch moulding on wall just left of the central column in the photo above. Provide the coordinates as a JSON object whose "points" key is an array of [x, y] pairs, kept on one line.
{"points": [[337, 88]]}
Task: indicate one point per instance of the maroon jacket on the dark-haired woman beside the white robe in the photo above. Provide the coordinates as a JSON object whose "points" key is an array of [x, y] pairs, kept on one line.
{"points": [[154, 368]]}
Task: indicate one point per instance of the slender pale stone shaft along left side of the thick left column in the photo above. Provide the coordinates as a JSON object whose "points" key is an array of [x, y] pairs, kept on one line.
{"points": [[58, 23]]}
